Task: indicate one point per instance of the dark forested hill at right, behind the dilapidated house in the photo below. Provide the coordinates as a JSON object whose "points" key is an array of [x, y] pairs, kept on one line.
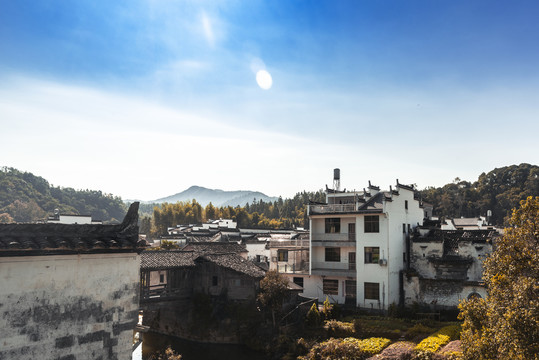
{"points": [[499, 190]]}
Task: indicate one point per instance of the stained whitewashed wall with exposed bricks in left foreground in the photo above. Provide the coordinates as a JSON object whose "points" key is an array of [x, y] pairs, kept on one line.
{"points": [[68, 306]]}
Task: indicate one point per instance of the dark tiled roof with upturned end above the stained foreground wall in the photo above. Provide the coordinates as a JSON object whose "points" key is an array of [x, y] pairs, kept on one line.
{"points": [[44, 239]]}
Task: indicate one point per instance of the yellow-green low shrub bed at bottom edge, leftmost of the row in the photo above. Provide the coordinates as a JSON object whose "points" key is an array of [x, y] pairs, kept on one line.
{"points": [[349, 348]]}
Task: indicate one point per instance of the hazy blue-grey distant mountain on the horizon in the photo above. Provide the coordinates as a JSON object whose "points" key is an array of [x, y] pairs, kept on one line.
{"points": [[217, 197]]}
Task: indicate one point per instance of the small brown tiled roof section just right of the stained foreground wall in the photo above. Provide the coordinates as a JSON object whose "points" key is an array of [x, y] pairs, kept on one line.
{"points": [[157, 260]]}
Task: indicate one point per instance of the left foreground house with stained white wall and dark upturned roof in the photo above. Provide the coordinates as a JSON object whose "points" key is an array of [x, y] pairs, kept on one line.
{"points": [[69, 291]]}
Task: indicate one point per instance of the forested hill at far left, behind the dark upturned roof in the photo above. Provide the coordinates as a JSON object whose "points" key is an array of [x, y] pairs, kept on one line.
{"points": [[25, 197]]}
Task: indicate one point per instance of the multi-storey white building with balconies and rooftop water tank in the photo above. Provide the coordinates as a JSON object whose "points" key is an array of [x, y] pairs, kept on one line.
{"points": [[358, 245]]}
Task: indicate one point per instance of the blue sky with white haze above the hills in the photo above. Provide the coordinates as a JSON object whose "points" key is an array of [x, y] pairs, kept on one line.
{"points": [[144, 98]]}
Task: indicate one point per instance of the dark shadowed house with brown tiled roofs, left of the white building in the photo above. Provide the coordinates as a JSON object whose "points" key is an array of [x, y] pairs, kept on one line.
{"points": [[174, 284]]}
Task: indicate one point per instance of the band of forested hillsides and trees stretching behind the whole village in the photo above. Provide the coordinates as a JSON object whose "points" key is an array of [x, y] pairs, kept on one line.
{"points": [[25, 197]]}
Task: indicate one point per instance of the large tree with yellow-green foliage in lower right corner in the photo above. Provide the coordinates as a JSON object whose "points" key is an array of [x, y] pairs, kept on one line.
{"points": [[505, 325]]}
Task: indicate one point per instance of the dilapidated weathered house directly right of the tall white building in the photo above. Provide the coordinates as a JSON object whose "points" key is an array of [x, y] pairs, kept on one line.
{"points": [[446, 266]]}
